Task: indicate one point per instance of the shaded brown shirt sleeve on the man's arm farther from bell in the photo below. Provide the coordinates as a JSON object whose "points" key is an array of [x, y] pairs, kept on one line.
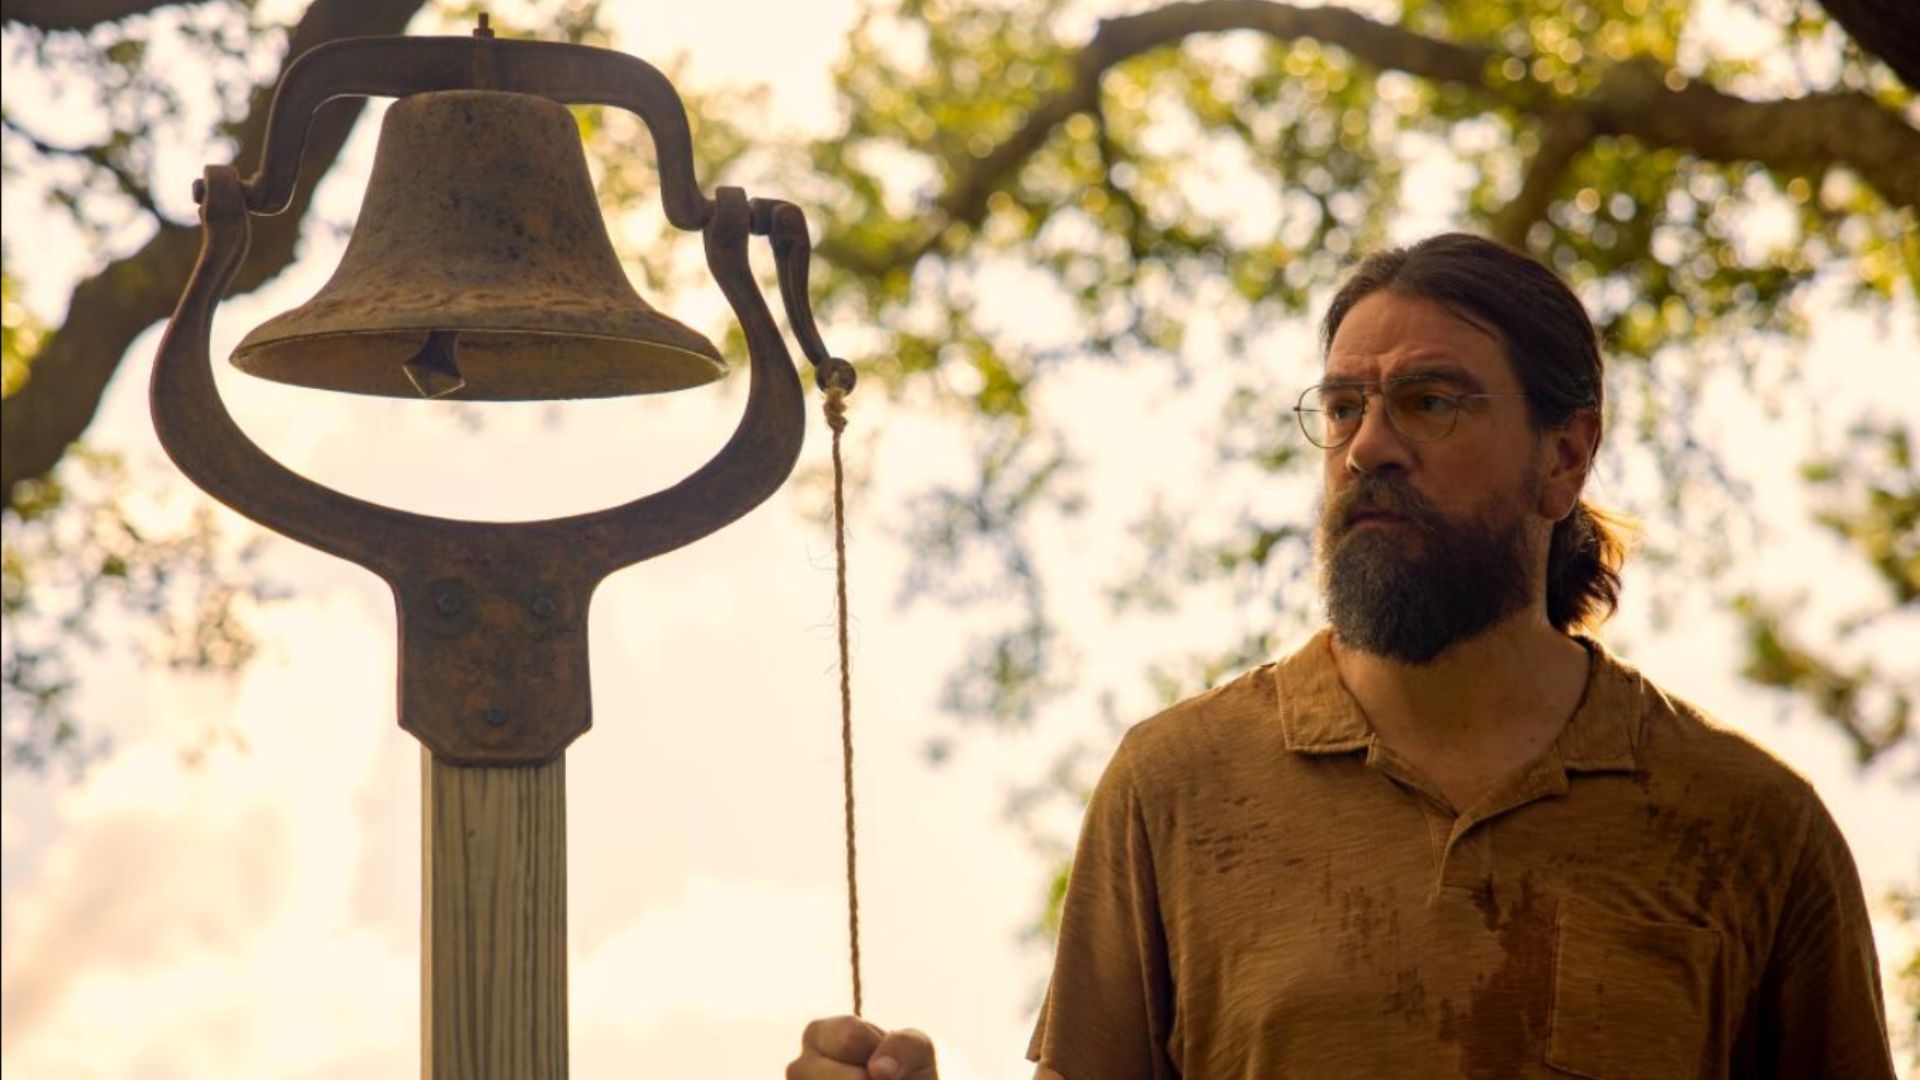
{"points": [[1821, 1010]]}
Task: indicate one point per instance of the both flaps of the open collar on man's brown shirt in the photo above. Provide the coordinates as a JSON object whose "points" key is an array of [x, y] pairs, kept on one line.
{"points": [[1320, 716]]}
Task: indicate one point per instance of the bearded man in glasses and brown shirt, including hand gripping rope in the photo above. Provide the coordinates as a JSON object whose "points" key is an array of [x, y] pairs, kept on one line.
{"points": [[1451, 837]]}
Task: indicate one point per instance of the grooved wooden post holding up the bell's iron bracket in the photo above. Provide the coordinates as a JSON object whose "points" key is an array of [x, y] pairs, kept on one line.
{"points": [[494, 921]]}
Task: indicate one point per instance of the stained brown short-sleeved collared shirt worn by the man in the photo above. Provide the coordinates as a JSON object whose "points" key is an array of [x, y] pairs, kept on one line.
{"points": [[1264, 891]]}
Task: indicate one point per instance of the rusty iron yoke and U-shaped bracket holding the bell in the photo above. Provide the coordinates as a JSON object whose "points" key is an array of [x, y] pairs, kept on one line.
{"points": [[492, 616]]}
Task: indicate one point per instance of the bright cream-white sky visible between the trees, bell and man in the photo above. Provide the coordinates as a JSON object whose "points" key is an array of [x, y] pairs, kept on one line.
{"points": [[258, 914]]}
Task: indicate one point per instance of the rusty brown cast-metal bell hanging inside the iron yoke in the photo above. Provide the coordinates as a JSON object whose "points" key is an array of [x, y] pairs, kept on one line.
{"points": [[479, 270]]}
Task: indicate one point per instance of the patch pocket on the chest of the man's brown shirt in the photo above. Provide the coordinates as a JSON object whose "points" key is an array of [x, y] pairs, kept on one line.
{"points": [[1631, 1000]]}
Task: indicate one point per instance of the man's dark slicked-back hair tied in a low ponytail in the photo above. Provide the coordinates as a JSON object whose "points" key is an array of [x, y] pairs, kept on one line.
{"points": [[1556, 355]]}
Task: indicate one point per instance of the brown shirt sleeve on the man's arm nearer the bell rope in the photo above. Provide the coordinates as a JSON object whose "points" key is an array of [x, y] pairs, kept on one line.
{"points": [[1109, 1008]]}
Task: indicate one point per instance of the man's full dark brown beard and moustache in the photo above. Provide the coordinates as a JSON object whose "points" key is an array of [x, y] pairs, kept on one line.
{"points": [[1412, 606]]}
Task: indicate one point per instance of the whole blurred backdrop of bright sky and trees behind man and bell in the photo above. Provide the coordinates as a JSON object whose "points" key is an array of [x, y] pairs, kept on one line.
{"points": [[1076, 251]]}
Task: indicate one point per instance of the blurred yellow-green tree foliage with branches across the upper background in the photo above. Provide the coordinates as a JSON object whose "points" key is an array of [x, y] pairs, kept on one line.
{"points": [[1176, 182]]}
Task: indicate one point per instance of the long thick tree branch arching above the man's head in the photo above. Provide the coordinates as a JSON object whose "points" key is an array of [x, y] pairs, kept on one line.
{"points": [[1633, 99]]}
